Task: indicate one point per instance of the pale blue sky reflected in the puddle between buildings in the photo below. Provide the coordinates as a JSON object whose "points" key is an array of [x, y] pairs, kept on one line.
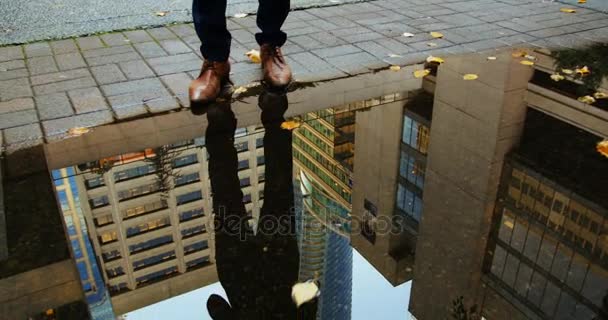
{"points": [[373, 298]]}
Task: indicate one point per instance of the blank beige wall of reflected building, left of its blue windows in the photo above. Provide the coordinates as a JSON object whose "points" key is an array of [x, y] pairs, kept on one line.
{"points": [[376, 170]]}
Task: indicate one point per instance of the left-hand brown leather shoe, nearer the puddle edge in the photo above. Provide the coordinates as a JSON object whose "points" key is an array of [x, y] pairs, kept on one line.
{"points": [[208, 85]]}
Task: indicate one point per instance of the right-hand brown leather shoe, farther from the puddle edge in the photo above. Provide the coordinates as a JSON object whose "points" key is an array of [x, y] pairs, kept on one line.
{"points": [[276, 71]]}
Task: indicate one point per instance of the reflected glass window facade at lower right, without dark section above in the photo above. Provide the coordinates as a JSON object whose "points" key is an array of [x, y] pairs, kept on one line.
{"points": [[550, 246]]}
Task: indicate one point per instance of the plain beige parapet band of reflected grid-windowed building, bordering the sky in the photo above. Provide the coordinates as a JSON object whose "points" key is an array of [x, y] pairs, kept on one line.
{"points": [[168, 288]]}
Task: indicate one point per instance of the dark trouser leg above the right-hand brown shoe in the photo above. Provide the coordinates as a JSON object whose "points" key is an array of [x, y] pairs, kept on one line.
{"points": [[271, 15]]}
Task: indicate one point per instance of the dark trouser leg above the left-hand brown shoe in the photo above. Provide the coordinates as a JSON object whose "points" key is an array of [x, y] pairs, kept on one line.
{"points": [[210, 24]]}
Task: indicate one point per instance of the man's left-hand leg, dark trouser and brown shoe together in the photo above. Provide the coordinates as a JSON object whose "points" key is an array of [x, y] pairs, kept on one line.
{"points": [[210, 24]]}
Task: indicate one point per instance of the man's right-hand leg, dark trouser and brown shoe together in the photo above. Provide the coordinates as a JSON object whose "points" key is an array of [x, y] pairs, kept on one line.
{"points": [[271, 16]]}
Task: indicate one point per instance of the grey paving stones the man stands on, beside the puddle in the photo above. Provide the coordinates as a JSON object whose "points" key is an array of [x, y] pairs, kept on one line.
{"points": [[46, 88]]}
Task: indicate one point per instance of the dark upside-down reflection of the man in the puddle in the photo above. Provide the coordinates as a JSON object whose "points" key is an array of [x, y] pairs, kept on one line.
{"points": [[257, 272]]}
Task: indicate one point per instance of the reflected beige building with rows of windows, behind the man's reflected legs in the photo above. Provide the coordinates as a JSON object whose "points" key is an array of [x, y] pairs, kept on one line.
{"points": [[149, 217]]}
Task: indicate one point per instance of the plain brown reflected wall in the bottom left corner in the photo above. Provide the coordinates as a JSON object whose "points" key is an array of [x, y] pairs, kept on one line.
{"points": [[35, 291]]}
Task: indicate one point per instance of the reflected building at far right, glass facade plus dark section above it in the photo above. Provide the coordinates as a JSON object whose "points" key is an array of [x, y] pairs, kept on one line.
{"points": [[549, 248]]}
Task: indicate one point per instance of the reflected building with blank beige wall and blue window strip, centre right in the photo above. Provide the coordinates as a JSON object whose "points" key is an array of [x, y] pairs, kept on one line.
{"points": [[391, 144]]}
